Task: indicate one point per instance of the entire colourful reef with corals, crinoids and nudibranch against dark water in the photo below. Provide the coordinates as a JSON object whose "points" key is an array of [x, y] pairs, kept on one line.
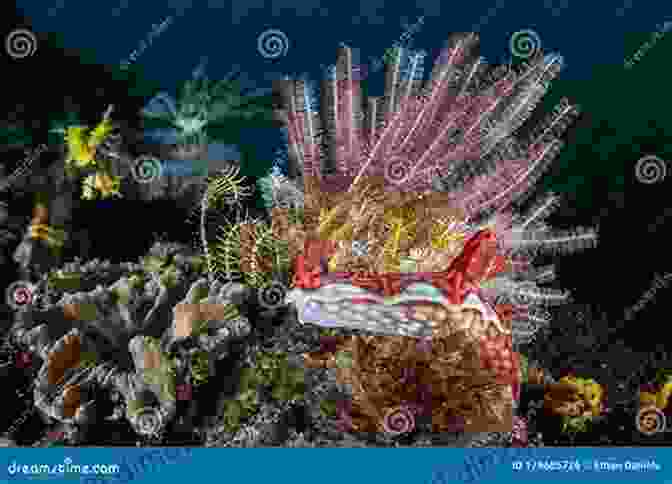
{"points": [[399, 232]]}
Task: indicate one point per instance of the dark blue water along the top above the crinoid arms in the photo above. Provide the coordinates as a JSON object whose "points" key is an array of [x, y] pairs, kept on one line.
{"points": [[226, 32]]}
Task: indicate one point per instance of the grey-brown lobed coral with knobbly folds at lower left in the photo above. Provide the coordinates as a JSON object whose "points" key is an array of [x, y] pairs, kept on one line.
{"points": [[82, 335]]}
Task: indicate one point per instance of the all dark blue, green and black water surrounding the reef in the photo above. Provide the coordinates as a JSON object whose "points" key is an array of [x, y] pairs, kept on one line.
{"points": [[90, 55]]}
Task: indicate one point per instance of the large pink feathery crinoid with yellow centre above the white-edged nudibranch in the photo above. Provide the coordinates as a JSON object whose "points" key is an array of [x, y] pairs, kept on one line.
{"points": [[459, 141]]}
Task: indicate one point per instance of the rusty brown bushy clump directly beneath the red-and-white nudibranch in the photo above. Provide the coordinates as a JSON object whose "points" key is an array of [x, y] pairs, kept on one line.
{"points": [[443, 381]]}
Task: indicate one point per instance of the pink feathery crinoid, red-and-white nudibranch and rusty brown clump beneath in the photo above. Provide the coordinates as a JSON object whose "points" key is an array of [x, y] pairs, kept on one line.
{"points": [[369, 170]]}
